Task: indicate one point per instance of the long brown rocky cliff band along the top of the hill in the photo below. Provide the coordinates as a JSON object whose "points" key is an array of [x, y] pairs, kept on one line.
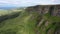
{"points": [[54, 10]]}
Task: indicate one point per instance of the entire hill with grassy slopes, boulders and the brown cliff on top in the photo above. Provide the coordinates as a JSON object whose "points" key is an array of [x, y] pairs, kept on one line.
{"points": [[40, 19]]}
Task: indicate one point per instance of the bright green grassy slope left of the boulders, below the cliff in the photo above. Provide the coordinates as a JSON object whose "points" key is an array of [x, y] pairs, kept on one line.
{"points": [[23, 24]]}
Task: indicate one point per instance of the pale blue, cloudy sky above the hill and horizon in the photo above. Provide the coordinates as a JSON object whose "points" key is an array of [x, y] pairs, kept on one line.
{"points": [[19, 3]]}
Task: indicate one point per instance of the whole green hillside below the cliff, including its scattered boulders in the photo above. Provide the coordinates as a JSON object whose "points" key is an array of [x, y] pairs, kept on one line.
{"points": [[30, 23]]}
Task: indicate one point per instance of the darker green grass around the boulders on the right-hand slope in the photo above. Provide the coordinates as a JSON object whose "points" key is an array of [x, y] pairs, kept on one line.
{"points": [[53, 21]]}
